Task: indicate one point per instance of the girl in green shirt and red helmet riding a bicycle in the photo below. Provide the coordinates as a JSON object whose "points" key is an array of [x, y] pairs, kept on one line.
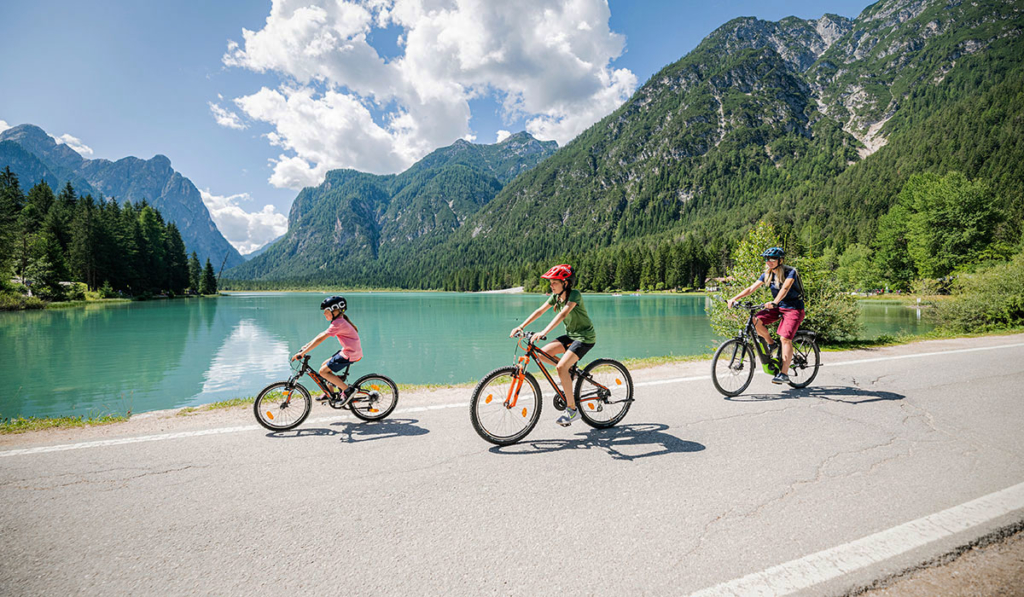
{"points": [[580, 336]]}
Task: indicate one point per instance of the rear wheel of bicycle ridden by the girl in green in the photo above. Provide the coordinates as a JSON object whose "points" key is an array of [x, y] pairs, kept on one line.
{"points": [[605, 412]]}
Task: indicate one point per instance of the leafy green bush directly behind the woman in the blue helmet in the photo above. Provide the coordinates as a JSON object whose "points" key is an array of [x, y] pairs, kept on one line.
{"points": [[830, 312]]}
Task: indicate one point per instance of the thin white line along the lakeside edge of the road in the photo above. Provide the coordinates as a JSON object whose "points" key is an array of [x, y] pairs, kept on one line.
{"points": [[124, 441]]}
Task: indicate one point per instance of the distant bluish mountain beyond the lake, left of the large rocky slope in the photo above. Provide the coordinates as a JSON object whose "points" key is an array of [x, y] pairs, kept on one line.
{"points": [[357, 226]]}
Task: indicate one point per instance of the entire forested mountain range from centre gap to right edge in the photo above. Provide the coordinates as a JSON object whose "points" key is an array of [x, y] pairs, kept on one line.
{"points": [[814, 124]]}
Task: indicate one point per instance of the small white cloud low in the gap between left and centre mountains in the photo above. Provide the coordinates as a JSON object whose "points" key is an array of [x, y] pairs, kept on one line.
{"points": [[245, 231]]}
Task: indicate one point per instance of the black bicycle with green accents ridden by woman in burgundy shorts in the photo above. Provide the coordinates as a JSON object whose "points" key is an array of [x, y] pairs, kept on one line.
{"points": [[734, 364]]}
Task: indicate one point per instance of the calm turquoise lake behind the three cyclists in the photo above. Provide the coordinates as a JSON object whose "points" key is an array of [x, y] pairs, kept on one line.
{"points": [[163, 355]]}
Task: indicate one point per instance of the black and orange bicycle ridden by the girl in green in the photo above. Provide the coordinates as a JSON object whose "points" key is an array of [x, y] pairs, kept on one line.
{"points": [[506, 404]]}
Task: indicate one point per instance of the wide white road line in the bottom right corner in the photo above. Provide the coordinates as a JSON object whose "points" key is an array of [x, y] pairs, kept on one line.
{"points": [[833, 564]]}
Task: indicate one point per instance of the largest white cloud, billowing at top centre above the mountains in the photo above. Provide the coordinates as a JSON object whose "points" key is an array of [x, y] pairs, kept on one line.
{"points": [[547, 62]]}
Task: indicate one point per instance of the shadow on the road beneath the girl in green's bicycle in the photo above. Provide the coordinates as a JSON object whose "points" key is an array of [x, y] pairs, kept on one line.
{"points": [[638, 441]]}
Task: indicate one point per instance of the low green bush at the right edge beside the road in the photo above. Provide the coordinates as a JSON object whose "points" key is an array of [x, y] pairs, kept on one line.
{"points": [[986, 302]]}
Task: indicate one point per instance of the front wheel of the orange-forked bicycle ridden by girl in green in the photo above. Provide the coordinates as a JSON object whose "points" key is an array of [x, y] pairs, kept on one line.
{"points": [[500, 415]]}
